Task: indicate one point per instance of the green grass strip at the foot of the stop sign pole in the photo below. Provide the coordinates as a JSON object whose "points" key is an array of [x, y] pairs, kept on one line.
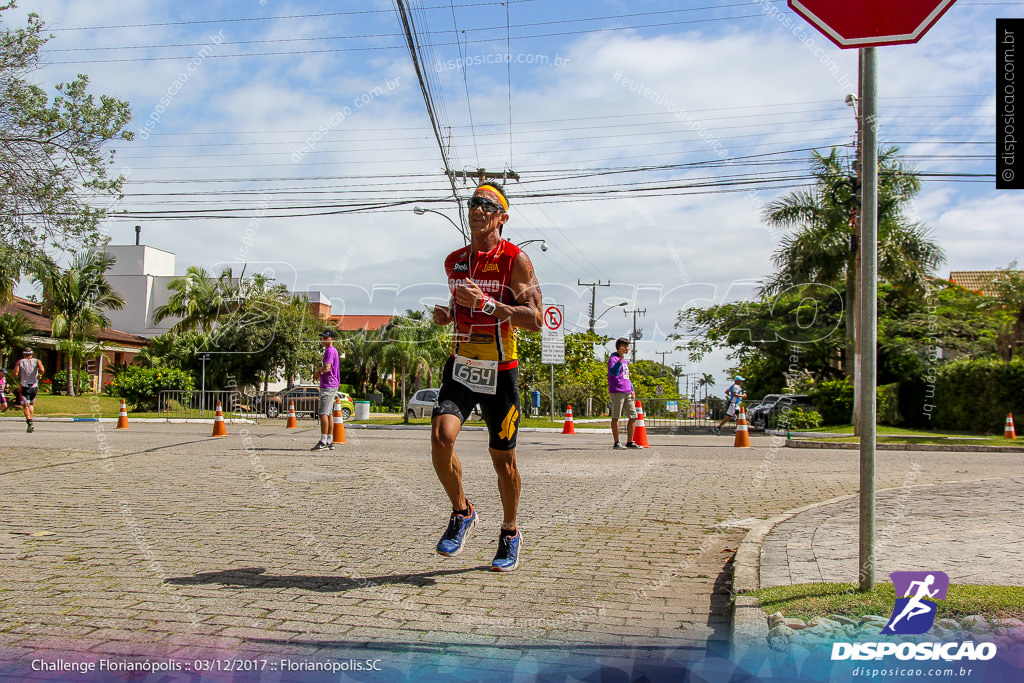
{"points": [[809, 601]]}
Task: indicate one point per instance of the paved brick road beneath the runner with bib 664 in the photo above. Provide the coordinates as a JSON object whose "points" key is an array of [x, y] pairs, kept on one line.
{"points": [[172, 543]]}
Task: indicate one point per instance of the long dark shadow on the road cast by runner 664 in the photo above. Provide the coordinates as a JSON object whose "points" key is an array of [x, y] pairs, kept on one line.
{"points": [[257, 578]]}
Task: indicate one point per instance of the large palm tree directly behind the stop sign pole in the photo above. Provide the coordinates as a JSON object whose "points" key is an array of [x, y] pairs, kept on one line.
{"points": [[821, 248]]}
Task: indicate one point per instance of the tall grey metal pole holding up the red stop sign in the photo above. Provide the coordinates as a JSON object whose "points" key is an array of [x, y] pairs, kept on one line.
{"points": [[869, 316]]}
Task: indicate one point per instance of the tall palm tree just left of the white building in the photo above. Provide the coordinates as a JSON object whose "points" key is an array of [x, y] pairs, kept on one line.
{"points": [[76, 302]]}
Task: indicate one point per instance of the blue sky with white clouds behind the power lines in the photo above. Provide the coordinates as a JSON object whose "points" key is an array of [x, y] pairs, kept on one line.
{"points": [[298, 141]]}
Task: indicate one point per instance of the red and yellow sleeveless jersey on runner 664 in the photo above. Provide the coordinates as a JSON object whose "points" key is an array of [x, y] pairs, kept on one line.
{"points": [[478, 335]]}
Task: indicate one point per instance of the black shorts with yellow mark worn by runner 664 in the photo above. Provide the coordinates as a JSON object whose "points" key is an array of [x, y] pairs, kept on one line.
{"points": [[501, 412]]}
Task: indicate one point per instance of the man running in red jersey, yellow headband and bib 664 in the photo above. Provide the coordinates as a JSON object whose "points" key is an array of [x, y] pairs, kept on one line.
{"points": [[494, 291]]}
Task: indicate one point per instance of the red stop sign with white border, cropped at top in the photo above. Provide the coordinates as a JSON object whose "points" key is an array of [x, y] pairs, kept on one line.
{"points": [[872, 23]]}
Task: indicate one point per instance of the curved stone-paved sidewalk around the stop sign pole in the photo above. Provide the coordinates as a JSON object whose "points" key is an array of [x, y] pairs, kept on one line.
{"points": [[972, 531]]}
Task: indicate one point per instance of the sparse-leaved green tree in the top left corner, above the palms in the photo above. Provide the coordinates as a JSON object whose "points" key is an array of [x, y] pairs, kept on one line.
{"points": [[55, 160]]}
